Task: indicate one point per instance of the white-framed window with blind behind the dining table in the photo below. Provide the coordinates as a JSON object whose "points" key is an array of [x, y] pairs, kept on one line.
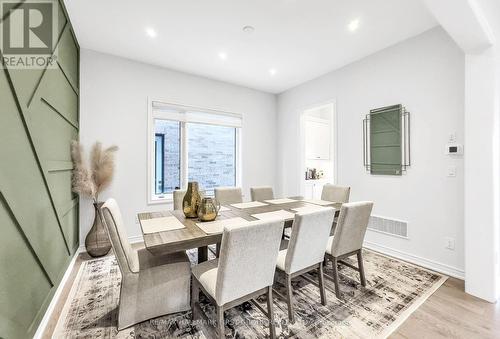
{"points": [[189, 144]]}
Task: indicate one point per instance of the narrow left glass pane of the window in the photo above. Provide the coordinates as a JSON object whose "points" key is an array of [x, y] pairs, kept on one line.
{"points": [[168, 164]]}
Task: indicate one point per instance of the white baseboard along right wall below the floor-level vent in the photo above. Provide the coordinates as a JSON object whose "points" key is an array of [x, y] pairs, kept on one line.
{"points": [[414, 259]]}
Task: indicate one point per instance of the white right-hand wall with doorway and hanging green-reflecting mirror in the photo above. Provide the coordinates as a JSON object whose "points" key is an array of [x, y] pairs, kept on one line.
{"points": [[425, 74]]}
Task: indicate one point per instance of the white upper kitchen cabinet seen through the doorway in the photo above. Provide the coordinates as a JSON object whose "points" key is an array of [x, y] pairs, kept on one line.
{"points": [[317, 139]]}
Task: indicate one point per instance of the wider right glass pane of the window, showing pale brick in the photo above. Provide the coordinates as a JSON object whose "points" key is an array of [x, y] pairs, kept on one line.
{"points": [[211, 156]]}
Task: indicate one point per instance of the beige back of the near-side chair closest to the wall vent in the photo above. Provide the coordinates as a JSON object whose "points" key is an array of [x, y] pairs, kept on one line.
{"points": [[351, 227]]}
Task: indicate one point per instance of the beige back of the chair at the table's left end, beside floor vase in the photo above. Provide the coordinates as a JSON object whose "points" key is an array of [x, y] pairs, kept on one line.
{"points": [[127, 257]]}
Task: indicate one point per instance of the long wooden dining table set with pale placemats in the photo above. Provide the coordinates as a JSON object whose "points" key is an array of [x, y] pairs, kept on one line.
{"points": [[192, 236]]}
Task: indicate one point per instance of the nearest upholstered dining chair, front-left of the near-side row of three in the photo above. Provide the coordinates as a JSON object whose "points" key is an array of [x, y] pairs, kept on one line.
{"points": [[244, 270]]}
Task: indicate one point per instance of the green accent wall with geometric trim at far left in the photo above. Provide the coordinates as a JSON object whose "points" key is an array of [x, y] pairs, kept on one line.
{"points": [[38, 212]]}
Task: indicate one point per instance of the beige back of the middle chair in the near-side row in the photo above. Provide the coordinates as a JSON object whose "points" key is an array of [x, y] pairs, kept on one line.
{"points": [[310, 233]]}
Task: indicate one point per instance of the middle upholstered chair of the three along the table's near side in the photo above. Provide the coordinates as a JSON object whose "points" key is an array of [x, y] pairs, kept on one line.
{"points": [[306, 251]]}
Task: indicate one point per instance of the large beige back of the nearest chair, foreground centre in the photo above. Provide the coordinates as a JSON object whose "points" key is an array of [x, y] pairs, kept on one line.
{"points": [[247, 259]]}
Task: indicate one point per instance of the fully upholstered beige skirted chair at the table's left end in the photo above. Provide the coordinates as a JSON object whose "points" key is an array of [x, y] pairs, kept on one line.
{"points": [[151, 286]]}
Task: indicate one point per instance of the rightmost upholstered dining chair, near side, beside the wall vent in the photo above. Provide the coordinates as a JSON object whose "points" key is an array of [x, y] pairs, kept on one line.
{"points": [[348, 239]]}
